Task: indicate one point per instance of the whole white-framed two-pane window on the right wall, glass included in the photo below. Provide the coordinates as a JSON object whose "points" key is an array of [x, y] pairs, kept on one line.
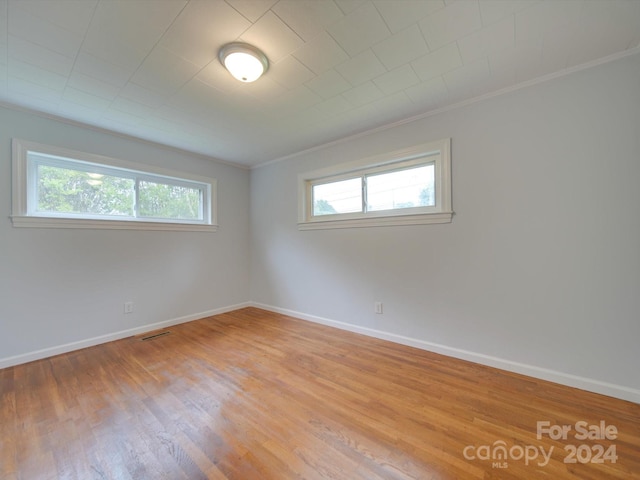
{"points": [[405, 187]]}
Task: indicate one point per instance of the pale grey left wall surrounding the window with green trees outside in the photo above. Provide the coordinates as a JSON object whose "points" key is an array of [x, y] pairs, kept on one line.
{"points": [[62, 286]]}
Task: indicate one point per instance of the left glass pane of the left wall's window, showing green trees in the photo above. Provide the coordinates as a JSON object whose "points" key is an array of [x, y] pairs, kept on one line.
{"points": [[64, 190]]}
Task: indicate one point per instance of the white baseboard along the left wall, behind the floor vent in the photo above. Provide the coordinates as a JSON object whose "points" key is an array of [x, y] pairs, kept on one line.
{"points": [[90, 342]]}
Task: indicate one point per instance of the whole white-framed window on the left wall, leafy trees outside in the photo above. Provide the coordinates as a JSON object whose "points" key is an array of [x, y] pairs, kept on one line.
{"points": [[54, 187]]}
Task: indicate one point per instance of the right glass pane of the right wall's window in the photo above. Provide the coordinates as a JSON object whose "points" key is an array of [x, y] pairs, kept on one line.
{"points": [[413, 187]]}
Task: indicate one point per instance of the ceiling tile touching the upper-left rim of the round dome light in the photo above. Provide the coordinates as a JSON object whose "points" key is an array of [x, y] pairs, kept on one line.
{"points": [[202, 28]]}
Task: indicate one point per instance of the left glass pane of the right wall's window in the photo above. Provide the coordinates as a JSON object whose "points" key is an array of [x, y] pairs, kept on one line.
{"points": [[344, 196]]}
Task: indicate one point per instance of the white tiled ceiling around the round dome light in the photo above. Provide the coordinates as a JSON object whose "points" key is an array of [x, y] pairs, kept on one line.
{"points": [[149, 68]]}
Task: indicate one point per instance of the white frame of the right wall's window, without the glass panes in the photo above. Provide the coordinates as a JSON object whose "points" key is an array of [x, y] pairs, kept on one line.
{"points": [[437, 152]]}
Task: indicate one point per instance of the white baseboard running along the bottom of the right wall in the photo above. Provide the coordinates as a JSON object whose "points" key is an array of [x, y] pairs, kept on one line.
{"points": [[583, 383]]}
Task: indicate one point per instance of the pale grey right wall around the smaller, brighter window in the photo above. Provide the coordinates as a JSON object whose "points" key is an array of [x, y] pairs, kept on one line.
{"points": [[539, 271]]}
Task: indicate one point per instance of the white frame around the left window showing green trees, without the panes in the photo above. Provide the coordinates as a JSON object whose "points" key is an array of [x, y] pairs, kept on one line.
{"points": [[24, 201]]}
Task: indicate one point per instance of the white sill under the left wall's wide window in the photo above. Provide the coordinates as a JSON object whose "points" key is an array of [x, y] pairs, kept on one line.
{"points": [[82, 223]]}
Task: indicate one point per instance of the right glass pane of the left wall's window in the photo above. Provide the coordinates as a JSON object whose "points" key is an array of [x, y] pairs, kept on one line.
{"points": [[160, 200]]}
